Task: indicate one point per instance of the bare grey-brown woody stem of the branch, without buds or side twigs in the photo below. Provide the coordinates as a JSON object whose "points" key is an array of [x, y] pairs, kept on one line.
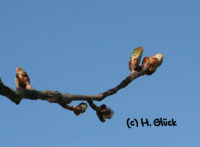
{"points": [[62, 99]]}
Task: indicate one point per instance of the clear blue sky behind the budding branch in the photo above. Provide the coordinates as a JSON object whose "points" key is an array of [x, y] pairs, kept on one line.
{"points": [[83, 47]]}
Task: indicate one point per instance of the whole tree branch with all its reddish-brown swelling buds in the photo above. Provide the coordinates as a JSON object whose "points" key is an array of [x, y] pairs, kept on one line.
{"points": [[26, 91]]}
